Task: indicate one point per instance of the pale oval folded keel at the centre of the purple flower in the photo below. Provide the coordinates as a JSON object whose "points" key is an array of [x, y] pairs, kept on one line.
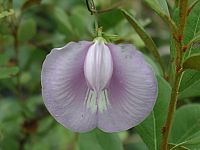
{"points": [[98, 66]]}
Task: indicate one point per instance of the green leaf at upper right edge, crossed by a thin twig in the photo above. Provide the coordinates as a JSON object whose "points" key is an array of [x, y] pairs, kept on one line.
{"points": [[192, 29]]}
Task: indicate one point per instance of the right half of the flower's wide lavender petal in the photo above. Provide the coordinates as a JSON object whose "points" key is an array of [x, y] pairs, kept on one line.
{"points": [[132, 92]]}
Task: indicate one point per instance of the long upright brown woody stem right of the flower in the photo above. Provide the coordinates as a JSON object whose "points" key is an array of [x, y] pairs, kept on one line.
{"points": [[178, 74]]}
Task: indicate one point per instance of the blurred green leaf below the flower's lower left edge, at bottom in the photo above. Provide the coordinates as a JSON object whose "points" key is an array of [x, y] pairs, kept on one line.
{"points": [[50, 135]]}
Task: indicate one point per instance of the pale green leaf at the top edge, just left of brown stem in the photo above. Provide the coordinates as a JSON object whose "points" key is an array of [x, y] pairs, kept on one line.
{"points": [[160, 6]]}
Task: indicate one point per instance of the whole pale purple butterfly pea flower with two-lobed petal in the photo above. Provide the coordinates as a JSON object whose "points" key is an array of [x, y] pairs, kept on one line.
{"points": [[87, 85]]}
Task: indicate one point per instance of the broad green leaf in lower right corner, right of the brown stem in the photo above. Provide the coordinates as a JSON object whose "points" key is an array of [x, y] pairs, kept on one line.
{"points": [[185, 129]]}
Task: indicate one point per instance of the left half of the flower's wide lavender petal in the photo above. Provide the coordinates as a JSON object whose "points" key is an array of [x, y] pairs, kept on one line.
{"points": [[64, 88]]}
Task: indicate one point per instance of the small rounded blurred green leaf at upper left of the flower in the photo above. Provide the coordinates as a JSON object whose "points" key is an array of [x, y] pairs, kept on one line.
{"points": [[27, 29]]}
